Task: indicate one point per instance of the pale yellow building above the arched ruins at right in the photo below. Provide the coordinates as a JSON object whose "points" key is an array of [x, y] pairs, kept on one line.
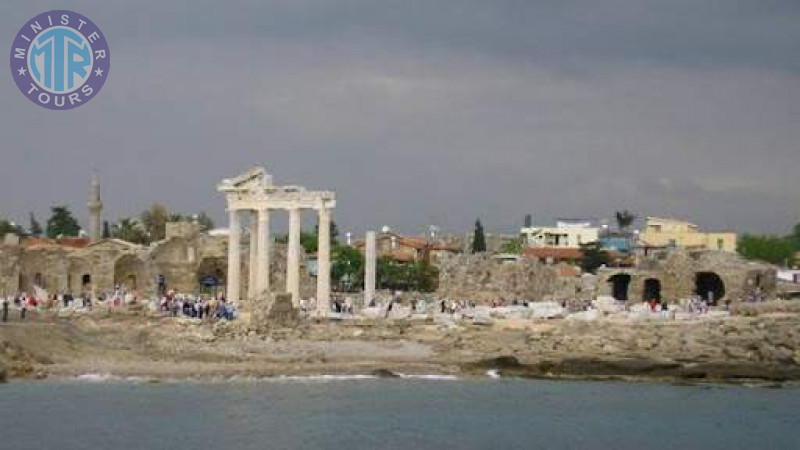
{"points": [[680, 234]]}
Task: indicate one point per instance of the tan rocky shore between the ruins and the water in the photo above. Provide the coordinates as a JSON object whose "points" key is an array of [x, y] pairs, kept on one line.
{"points": [[135, 344]]}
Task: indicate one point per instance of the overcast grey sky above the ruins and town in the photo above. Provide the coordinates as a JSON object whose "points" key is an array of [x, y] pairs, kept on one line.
{"points": [[426, 112]]}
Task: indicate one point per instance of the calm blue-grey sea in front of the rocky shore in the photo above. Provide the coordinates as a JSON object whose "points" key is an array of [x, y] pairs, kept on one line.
{"points": [[96, 412]]}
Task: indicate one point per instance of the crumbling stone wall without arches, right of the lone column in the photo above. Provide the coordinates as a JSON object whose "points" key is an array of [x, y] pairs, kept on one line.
{"points": [[483, 279]]}
